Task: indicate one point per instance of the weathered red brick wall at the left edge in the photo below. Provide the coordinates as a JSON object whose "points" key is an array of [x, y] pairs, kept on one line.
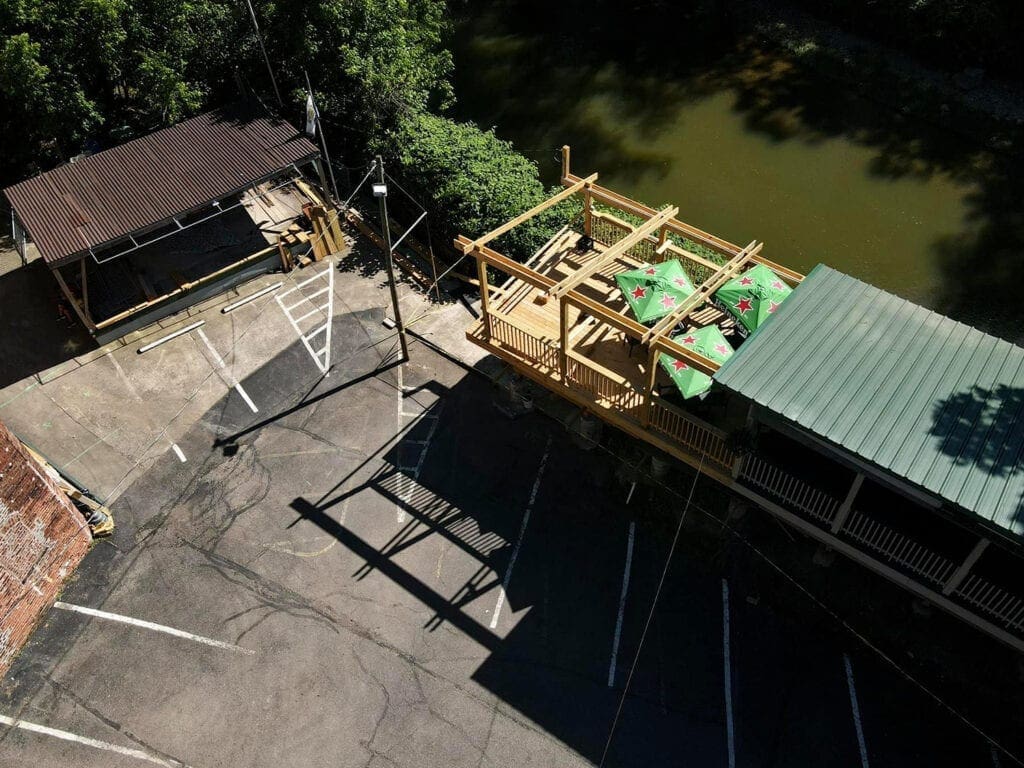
{"points": [[42, 539]]}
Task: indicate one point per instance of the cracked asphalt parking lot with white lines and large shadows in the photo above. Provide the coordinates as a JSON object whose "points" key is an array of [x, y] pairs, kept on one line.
{"points": [[379, 569]]}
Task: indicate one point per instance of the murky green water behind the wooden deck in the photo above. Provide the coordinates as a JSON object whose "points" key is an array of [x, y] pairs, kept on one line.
{"points": [[749, 147]]}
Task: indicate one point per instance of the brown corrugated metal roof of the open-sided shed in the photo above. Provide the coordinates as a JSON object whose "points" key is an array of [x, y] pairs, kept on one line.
{"points": [[149, 182]]}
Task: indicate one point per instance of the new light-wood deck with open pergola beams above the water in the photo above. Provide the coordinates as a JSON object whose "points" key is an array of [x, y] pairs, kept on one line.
{"points": [[562, 321]]}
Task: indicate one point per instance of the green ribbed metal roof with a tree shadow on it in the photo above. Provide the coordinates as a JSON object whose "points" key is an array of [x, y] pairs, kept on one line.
{"points": [[924, 398]]}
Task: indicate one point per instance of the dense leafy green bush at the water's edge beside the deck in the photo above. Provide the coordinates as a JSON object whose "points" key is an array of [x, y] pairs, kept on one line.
{"points": [[477, 182]]}
